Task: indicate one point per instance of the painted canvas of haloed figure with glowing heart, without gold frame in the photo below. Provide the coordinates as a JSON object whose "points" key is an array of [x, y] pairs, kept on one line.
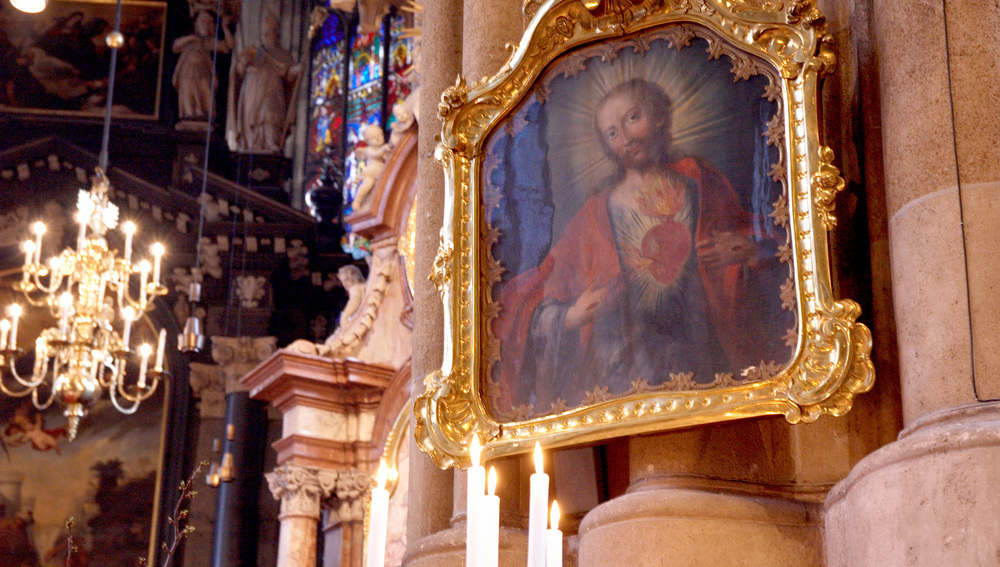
{"points": [[654, 264]]}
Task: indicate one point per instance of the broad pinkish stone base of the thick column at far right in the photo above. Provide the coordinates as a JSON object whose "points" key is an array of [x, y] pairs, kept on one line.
{"points": [[929, 498]]}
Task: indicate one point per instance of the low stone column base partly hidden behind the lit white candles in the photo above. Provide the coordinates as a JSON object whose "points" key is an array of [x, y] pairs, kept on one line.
{"points": [[447, 549]]}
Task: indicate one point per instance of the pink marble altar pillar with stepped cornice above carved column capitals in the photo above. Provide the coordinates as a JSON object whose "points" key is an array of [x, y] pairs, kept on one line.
{"points": [[328, 408]]}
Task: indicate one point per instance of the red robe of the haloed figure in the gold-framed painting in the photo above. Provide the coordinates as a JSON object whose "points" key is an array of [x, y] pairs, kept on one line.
{"points": [[586, 257]]}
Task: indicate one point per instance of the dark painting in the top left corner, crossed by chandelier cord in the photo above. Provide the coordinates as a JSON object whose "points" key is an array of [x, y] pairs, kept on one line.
{"points": [[56, 62]]}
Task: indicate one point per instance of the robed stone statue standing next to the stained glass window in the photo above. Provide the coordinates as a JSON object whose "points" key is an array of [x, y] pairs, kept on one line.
{"points": [[261, 89]]}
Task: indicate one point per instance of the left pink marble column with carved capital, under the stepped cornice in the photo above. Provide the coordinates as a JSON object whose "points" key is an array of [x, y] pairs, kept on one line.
{"points": [[301, 491]]}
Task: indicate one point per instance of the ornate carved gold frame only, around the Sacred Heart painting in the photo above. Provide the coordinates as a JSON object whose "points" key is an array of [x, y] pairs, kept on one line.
{"points": [[831, 361]]}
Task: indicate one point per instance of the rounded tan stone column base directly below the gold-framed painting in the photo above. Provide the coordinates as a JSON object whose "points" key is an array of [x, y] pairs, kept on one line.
{"points": [[686, 527]]}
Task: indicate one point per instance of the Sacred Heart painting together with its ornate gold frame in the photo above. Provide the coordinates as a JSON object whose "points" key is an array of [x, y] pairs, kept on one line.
{"points": [[635, 230]]}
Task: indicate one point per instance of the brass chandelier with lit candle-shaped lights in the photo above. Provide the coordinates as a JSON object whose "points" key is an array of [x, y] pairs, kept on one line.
{"points": [[87, 292]]}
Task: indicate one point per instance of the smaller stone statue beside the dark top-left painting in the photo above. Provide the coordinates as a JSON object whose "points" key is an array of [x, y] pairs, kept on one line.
{"points": [[193, 73]]}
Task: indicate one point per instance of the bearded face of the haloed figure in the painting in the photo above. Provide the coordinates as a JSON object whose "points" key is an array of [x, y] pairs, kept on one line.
{"points": [[628, 128]]}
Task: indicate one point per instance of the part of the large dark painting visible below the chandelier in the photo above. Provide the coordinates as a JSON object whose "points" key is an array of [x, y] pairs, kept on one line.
{"points": [[107, 478]]}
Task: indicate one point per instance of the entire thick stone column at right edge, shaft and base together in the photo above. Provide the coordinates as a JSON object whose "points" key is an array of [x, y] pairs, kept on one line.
{"points": [[929, 497]]}
